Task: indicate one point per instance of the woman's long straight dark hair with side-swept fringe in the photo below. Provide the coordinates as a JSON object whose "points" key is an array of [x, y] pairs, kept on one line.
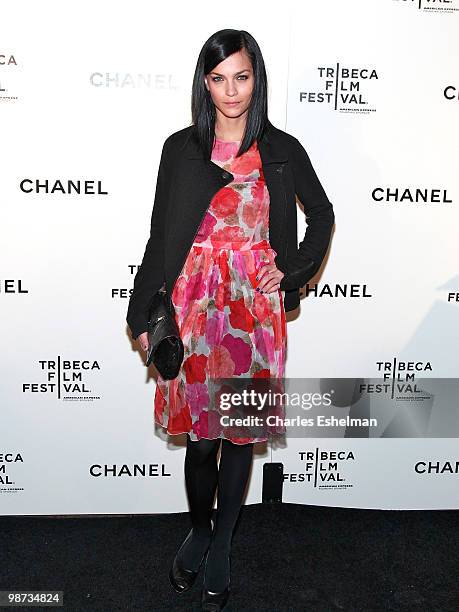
{"points": [[217, 48]]}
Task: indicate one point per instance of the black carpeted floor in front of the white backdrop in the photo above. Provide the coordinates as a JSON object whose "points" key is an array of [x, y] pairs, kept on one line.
{"points": [[285, 557]]}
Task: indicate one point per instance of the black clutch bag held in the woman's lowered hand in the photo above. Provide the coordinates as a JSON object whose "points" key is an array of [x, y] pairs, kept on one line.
{"points": [[165, 347]]}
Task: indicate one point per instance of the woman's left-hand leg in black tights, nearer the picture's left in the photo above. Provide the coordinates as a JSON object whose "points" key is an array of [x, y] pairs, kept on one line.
{"points": [[201, 475]]}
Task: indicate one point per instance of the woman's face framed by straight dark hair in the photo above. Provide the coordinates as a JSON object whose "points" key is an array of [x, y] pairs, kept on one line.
{"points": [[230, 84]]}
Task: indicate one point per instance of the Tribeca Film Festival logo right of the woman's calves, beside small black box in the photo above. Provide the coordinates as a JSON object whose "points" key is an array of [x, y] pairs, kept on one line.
{"points": [[323, 469]]}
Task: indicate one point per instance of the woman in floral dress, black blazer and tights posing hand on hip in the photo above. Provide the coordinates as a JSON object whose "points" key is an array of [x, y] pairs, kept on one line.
{"points": [[224, 238]]}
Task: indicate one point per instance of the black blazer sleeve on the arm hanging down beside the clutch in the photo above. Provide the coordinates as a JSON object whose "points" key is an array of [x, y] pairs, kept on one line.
{"points": [[150, 275]]}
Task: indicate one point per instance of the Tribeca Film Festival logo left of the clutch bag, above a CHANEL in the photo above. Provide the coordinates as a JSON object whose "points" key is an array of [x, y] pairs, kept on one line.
{"points": [[67, 379]]}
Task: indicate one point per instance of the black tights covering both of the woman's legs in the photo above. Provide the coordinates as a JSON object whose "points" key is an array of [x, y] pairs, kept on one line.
{"points": [[202, 478]]}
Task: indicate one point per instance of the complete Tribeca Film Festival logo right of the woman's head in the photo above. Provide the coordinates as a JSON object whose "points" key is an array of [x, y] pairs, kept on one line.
{"points": [[343, 87]]}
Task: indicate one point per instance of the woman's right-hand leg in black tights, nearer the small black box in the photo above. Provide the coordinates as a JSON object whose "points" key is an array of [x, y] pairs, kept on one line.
{"points": [[234, 470]]}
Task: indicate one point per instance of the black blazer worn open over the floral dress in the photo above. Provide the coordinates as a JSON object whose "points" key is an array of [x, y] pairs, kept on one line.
{"points": [[185, 186]]}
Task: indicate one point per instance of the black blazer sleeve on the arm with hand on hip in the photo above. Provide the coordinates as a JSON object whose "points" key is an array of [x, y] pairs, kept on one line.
{"points": [[304, 264]]}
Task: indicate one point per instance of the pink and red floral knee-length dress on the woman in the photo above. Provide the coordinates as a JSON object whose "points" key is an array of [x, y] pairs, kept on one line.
{"points": [[228, 328]]}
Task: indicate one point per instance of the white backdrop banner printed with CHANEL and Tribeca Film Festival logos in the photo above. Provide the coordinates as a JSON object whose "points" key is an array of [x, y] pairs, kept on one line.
{"points": [[87, 99]]}
